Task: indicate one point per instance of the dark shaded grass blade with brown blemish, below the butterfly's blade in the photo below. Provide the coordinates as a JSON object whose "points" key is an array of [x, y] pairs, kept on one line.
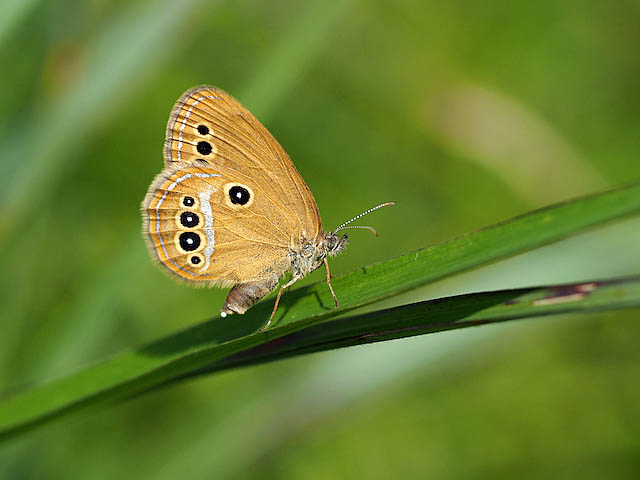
{"points": [[443, 314]]}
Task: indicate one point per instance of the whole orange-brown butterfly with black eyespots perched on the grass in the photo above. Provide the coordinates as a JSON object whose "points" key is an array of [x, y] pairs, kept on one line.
{"points": [[230, 208]]}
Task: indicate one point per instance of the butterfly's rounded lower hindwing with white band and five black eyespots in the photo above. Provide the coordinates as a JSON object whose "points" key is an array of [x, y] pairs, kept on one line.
{"points": [[201, 230]]}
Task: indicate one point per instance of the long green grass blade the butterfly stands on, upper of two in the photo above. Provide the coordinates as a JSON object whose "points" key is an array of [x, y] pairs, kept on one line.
{"points": [[189, 351]]}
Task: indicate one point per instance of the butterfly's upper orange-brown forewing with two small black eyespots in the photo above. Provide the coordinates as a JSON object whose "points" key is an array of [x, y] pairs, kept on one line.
{"points": [[207, 124]]}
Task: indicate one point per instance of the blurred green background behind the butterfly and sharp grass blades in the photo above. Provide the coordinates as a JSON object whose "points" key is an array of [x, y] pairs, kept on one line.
{"points": [[463, 113]]}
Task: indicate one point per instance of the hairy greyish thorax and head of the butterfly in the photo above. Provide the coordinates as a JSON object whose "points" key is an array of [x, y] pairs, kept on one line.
{"points": [[311, 254]]}
